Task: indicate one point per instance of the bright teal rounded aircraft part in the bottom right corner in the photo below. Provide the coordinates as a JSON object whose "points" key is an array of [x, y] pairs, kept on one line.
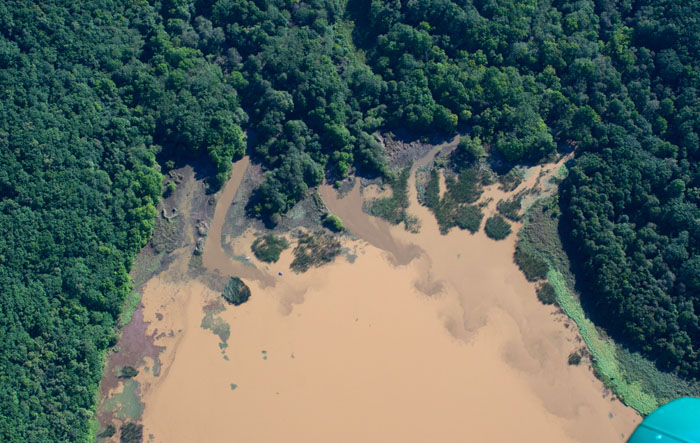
{"points": [[678, 421]]}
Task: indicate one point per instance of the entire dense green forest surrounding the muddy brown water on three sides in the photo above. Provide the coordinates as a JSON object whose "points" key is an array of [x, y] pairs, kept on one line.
{"points": [[98, 98]]}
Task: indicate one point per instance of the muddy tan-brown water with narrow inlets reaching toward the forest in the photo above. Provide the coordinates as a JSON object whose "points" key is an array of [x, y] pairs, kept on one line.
{"points": [[423, 338]]}
